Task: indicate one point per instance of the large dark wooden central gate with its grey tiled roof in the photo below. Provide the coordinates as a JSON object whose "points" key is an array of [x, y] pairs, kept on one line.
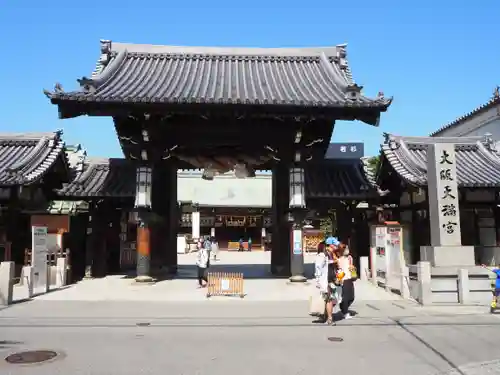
{"points": [[219, 109]]}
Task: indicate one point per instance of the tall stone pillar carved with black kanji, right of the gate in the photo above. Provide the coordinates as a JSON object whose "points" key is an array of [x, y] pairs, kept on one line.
{"points": [[443, 195]]}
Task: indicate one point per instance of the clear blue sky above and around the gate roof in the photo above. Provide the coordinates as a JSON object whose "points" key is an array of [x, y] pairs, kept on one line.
{"points": [[439, 59]]}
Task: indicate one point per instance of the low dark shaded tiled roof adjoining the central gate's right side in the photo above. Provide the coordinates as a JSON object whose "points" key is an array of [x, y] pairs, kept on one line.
{"points": [[343, 180]]}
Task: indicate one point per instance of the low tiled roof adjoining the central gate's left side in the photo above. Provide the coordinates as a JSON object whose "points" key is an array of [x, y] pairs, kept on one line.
{"points": [[103, 178]]}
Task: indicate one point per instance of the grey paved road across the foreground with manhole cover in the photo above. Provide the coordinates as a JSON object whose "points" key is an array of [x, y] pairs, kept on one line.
{"points": [[386, 337]]}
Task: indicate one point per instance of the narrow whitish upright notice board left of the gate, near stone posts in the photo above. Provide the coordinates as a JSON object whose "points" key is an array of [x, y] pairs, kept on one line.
{"points": [[39, 254]]}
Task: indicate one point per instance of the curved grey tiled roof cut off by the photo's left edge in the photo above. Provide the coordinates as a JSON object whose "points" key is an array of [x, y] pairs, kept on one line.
{"points": [[26, 157]]}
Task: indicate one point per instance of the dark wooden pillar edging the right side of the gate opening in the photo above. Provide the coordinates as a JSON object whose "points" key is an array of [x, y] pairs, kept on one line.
{"points": [[280, 240]]}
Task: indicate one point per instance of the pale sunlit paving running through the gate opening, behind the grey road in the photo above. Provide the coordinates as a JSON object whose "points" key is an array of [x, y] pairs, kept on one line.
{"points": [[259, 284]]}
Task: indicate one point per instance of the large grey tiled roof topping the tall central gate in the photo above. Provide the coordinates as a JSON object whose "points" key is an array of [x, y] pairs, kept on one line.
{"points": [[300, 77]]}
